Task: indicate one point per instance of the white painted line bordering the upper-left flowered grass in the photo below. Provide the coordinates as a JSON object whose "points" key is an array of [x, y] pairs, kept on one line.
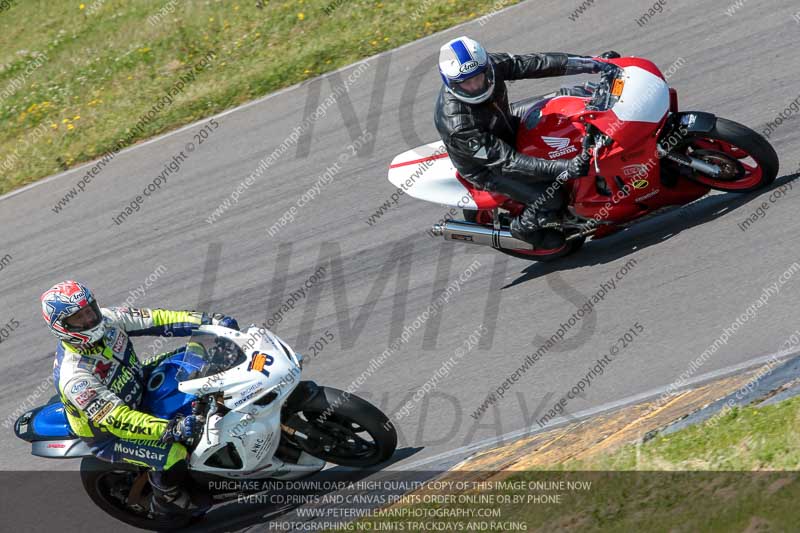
{"points": [[243, 106]]}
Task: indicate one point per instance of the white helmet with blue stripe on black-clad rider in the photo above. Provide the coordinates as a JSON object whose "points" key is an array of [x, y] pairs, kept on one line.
{"points": [[464, 59]]}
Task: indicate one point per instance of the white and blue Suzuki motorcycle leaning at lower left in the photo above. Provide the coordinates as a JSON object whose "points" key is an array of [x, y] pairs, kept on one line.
{"points": [[261, 422]]}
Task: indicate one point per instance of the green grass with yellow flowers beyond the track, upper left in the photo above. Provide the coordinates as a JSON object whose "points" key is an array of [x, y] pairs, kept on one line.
{"points": [[75, 77]]}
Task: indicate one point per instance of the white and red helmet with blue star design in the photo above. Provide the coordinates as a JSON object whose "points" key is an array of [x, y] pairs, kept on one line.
{"points": [[64, 300]]}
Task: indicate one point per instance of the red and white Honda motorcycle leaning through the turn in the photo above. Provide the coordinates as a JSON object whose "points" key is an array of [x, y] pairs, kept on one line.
{"points": [[645, 156]]}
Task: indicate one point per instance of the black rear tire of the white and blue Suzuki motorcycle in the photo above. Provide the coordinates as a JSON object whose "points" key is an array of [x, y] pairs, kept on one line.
{"points": [[97, 477]]}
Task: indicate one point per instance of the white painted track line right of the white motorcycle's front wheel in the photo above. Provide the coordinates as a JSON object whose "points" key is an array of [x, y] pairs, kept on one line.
{"points": [[471, 449]]}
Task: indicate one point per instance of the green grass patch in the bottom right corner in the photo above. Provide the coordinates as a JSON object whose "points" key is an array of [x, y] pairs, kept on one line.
{"points": [[738, 473]]}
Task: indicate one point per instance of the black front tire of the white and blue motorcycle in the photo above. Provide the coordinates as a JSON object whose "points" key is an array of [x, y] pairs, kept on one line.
{"points": [[336, 412]]}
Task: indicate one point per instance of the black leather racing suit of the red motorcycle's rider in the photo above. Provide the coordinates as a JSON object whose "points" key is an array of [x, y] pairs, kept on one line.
{"points": [[481, 138]]}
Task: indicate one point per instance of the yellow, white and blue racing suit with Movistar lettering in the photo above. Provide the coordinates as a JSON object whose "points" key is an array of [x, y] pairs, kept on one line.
{"points": [[101, 387]]}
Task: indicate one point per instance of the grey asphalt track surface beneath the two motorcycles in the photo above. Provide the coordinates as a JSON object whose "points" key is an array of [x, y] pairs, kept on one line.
{"points": [[695, 270]]}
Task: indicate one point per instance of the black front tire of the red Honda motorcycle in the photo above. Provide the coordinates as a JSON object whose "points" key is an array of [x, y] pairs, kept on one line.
{"points": [[744, 138]]}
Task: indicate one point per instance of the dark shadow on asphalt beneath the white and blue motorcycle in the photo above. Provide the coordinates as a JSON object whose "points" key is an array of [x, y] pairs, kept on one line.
{"points": [[233, 516]]}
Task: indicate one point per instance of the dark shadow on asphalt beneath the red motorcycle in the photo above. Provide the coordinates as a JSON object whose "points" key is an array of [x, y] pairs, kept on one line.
{"points": [[649, 232]]}
